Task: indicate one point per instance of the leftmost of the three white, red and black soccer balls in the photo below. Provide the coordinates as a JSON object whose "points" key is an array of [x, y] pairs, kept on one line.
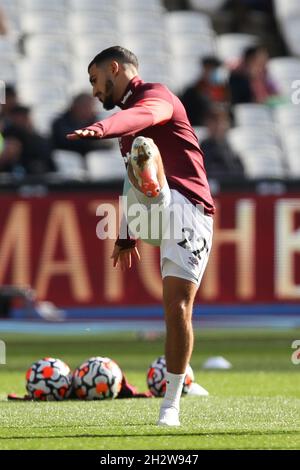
{"points": [[49, 379]]}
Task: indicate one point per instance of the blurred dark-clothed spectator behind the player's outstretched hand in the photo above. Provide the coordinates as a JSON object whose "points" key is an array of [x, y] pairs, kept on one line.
{"points": [[80, 114]]}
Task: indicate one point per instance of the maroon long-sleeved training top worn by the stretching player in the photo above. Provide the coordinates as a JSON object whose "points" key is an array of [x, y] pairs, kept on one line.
{"points": [[152, 110]]}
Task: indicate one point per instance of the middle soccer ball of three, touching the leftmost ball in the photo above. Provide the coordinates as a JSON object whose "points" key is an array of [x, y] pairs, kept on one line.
{"points": [[97, 378]]}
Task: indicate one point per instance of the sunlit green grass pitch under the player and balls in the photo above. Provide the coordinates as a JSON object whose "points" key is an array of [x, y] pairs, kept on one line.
{"points": [[256, 405]]}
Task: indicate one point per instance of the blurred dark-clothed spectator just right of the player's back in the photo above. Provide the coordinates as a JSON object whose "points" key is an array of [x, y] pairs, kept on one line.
{"points": [[220, 159]]}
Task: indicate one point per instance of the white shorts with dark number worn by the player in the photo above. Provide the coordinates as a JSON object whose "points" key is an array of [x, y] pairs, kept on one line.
{"points": [[181, 230]]}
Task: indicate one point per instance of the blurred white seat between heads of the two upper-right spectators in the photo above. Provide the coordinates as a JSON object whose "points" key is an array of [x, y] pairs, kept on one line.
{"points": [[232, 45]]}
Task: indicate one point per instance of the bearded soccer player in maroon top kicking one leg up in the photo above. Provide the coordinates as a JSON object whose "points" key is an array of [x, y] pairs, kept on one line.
{"points": [[165, 171]]}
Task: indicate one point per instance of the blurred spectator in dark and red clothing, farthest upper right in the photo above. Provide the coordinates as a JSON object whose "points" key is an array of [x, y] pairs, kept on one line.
{"points": [[249, 83]]}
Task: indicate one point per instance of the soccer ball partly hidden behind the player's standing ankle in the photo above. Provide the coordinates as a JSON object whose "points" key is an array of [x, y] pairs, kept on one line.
{"points": [[156, 378]]}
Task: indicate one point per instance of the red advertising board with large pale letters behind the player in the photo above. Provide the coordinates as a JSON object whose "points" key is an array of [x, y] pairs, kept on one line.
{"points": [[50, 243]]}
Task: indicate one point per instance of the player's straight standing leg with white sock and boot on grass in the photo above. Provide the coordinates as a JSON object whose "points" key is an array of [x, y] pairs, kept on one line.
{"points": [[178, 298]]}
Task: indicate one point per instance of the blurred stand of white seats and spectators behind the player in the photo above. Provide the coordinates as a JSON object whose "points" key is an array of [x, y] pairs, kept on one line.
{"points": [[234, 63]]}
